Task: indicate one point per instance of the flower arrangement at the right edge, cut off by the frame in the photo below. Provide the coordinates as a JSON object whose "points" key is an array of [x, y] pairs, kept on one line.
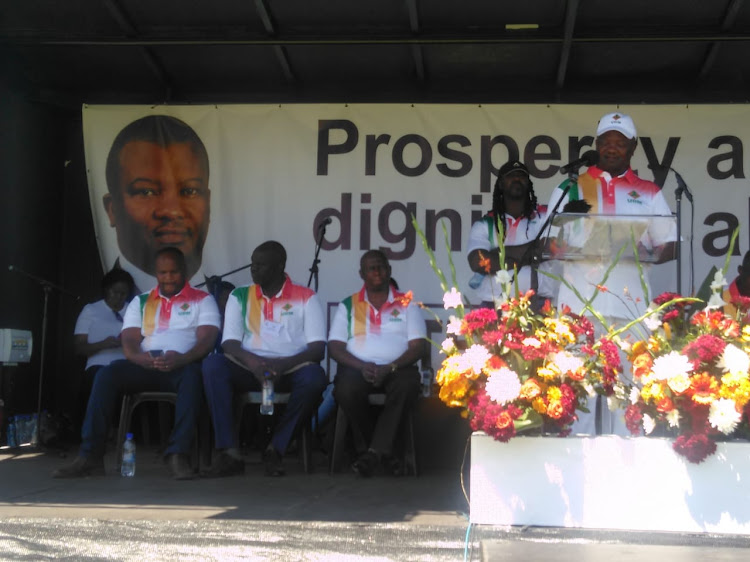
{"points": [[692, 373]]}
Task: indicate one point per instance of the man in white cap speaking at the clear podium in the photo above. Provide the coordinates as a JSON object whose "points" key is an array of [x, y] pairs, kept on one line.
{"points": [[611, 187]]}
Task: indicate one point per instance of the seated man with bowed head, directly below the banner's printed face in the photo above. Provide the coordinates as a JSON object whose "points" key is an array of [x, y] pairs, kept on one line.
{"points": [[165, 334]]}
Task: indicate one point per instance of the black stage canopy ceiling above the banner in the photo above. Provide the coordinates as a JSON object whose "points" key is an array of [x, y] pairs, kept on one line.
{"points": [[500, 51]]}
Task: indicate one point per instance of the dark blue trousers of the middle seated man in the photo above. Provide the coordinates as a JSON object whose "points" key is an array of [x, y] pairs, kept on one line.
{"points": [[223, 378]]}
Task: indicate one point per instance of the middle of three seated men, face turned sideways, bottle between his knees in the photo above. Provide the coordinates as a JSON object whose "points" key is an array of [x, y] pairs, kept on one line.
{"points": [[272, 329]]}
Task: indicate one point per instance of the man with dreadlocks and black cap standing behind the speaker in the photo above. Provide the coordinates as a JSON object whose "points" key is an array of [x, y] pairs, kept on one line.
{"points": [[514, 206]]}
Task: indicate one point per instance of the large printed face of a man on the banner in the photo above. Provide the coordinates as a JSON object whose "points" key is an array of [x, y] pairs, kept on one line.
{"points": [[157, 178]]}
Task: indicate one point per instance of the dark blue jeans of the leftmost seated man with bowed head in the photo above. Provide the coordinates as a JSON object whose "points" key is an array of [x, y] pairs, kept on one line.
{"points": [[123, 377]]}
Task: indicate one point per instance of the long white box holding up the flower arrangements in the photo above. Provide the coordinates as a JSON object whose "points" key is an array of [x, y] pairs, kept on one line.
{"points": [[608, 482]]}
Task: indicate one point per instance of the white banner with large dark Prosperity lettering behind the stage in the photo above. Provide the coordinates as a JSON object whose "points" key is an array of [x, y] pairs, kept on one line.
{"points": [[277, 172]]}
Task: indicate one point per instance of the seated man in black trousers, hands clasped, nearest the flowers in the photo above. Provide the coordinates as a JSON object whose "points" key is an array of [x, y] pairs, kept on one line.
{"points": [[377, 337]]}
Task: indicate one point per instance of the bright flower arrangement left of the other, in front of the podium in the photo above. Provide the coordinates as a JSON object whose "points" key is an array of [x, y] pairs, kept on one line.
{"points": [[512, 369]]}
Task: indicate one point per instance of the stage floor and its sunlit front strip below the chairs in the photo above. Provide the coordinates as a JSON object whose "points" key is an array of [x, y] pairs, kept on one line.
{"points": [[299, 517]]}
